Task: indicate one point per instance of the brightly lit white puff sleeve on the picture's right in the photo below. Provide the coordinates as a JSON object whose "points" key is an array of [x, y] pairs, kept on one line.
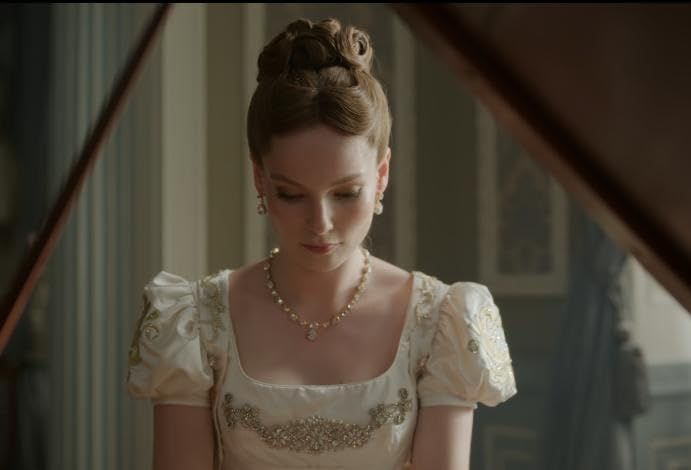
{"points": [[468, 358]]}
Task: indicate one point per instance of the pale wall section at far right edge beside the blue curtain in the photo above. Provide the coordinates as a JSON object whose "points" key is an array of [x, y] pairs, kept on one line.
{"points": [[662, 328]]}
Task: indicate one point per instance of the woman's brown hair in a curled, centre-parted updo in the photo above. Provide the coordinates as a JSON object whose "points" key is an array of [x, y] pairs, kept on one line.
{"points": [[317, 73]]}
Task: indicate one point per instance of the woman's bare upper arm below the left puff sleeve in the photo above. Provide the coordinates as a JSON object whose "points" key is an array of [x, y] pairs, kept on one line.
{"points": [[183, 438]]}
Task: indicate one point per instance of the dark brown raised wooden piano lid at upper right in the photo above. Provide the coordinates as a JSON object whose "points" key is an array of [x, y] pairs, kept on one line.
{"points": [[600, 95]]}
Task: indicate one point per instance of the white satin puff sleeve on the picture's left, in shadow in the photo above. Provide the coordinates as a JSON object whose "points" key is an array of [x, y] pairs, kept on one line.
{"points": [[167, 360]]}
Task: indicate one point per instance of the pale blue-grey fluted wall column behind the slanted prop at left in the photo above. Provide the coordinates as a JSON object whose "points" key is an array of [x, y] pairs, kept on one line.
{"points": [[111, 243]]}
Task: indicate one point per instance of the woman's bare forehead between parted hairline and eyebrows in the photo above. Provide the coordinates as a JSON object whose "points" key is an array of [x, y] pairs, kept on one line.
{"points": [[320, 151]]}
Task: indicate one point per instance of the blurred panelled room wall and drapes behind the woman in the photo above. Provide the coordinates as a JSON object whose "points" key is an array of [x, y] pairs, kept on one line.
{"points": [[602, 352]]}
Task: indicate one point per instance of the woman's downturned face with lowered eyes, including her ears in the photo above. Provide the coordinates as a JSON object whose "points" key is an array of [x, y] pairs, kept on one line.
{"points": [[320, 189]]}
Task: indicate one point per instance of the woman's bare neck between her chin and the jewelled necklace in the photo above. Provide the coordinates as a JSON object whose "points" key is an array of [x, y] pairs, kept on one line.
{"points": [[317, 295]]}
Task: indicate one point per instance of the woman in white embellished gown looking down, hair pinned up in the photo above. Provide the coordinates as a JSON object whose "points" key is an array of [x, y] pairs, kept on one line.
{"points": [[320, 356]]}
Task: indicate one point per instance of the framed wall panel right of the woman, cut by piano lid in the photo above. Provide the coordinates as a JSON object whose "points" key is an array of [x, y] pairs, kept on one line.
{"points": [[522, 217]]}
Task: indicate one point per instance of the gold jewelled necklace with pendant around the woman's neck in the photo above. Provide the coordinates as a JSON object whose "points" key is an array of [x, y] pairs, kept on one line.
{"points": [[312, 328]]}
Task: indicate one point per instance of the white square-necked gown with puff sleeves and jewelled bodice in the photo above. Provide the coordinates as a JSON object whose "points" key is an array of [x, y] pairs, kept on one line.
{"points": [[452, 352]]}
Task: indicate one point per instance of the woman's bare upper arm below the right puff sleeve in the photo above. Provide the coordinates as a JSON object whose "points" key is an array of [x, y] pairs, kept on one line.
{"points": [[442, 438]]}
